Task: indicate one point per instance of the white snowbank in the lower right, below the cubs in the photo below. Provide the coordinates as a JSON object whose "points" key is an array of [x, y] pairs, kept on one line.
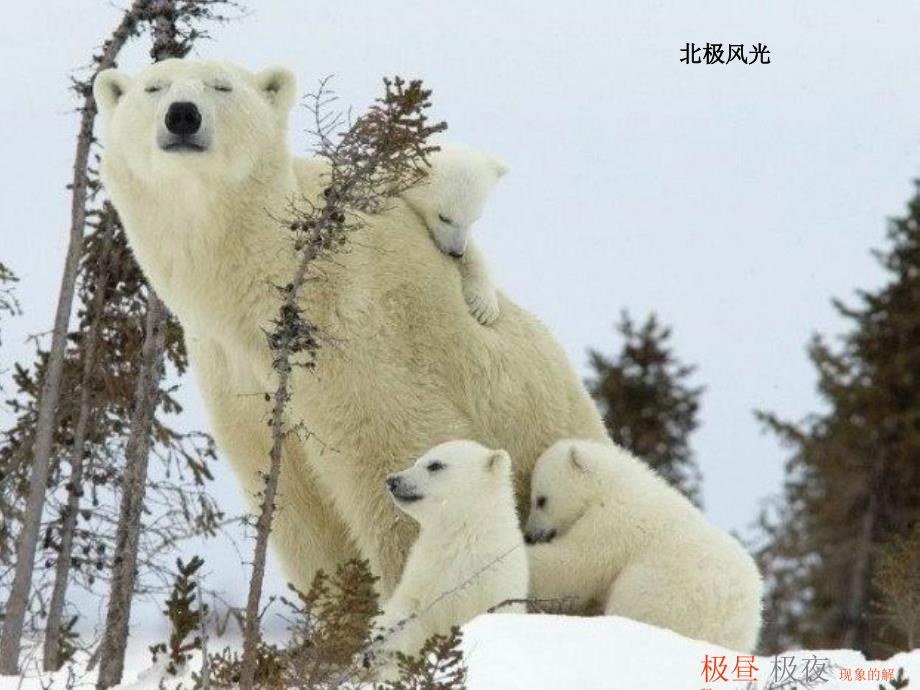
{"points": [[517, 652]]}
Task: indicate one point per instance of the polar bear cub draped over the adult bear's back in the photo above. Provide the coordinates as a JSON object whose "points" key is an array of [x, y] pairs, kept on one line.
{"points": [[450, 200]]}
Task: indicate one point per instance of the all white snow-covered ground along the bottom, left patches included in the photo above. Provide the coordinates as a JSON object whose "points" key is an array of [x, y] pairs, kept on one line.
{"points": [[518, 652]]}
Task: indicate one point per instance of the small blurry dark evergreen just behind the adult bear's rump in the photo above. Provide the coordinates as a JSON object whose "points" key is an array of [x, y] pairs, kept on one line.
{"points": [[647, 402]]}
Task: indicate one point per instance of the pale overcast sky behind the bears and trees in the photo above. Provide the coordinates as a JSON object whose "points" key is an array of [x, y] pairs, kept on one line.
{"points": [[732, 200]]}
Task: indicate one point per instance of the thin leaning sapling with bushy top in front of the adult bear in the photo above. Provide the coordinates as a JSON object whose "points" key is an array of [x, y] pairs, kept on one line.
{"points": [[382, 153]]}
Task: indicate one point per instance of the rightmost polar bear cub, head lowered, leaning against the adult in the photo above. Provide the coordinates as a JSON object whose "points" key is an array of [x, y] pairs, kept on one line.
{"points": [[609, 532]]}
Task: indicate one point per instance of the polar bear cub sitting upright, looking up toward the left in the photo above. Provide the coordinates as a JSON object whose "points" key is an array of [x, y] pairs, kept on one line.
{"points": [[470, 554]]}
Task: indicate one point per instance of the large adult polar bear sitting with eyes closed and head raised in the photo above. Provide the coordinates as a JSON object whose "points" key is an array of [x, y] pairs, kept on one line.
{"points": [[197, 163]]}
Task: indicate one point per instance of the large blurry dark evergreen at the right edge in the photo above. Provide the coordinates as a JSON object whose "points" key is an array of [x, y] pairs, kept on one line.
{"points": [[853, 478]]}
